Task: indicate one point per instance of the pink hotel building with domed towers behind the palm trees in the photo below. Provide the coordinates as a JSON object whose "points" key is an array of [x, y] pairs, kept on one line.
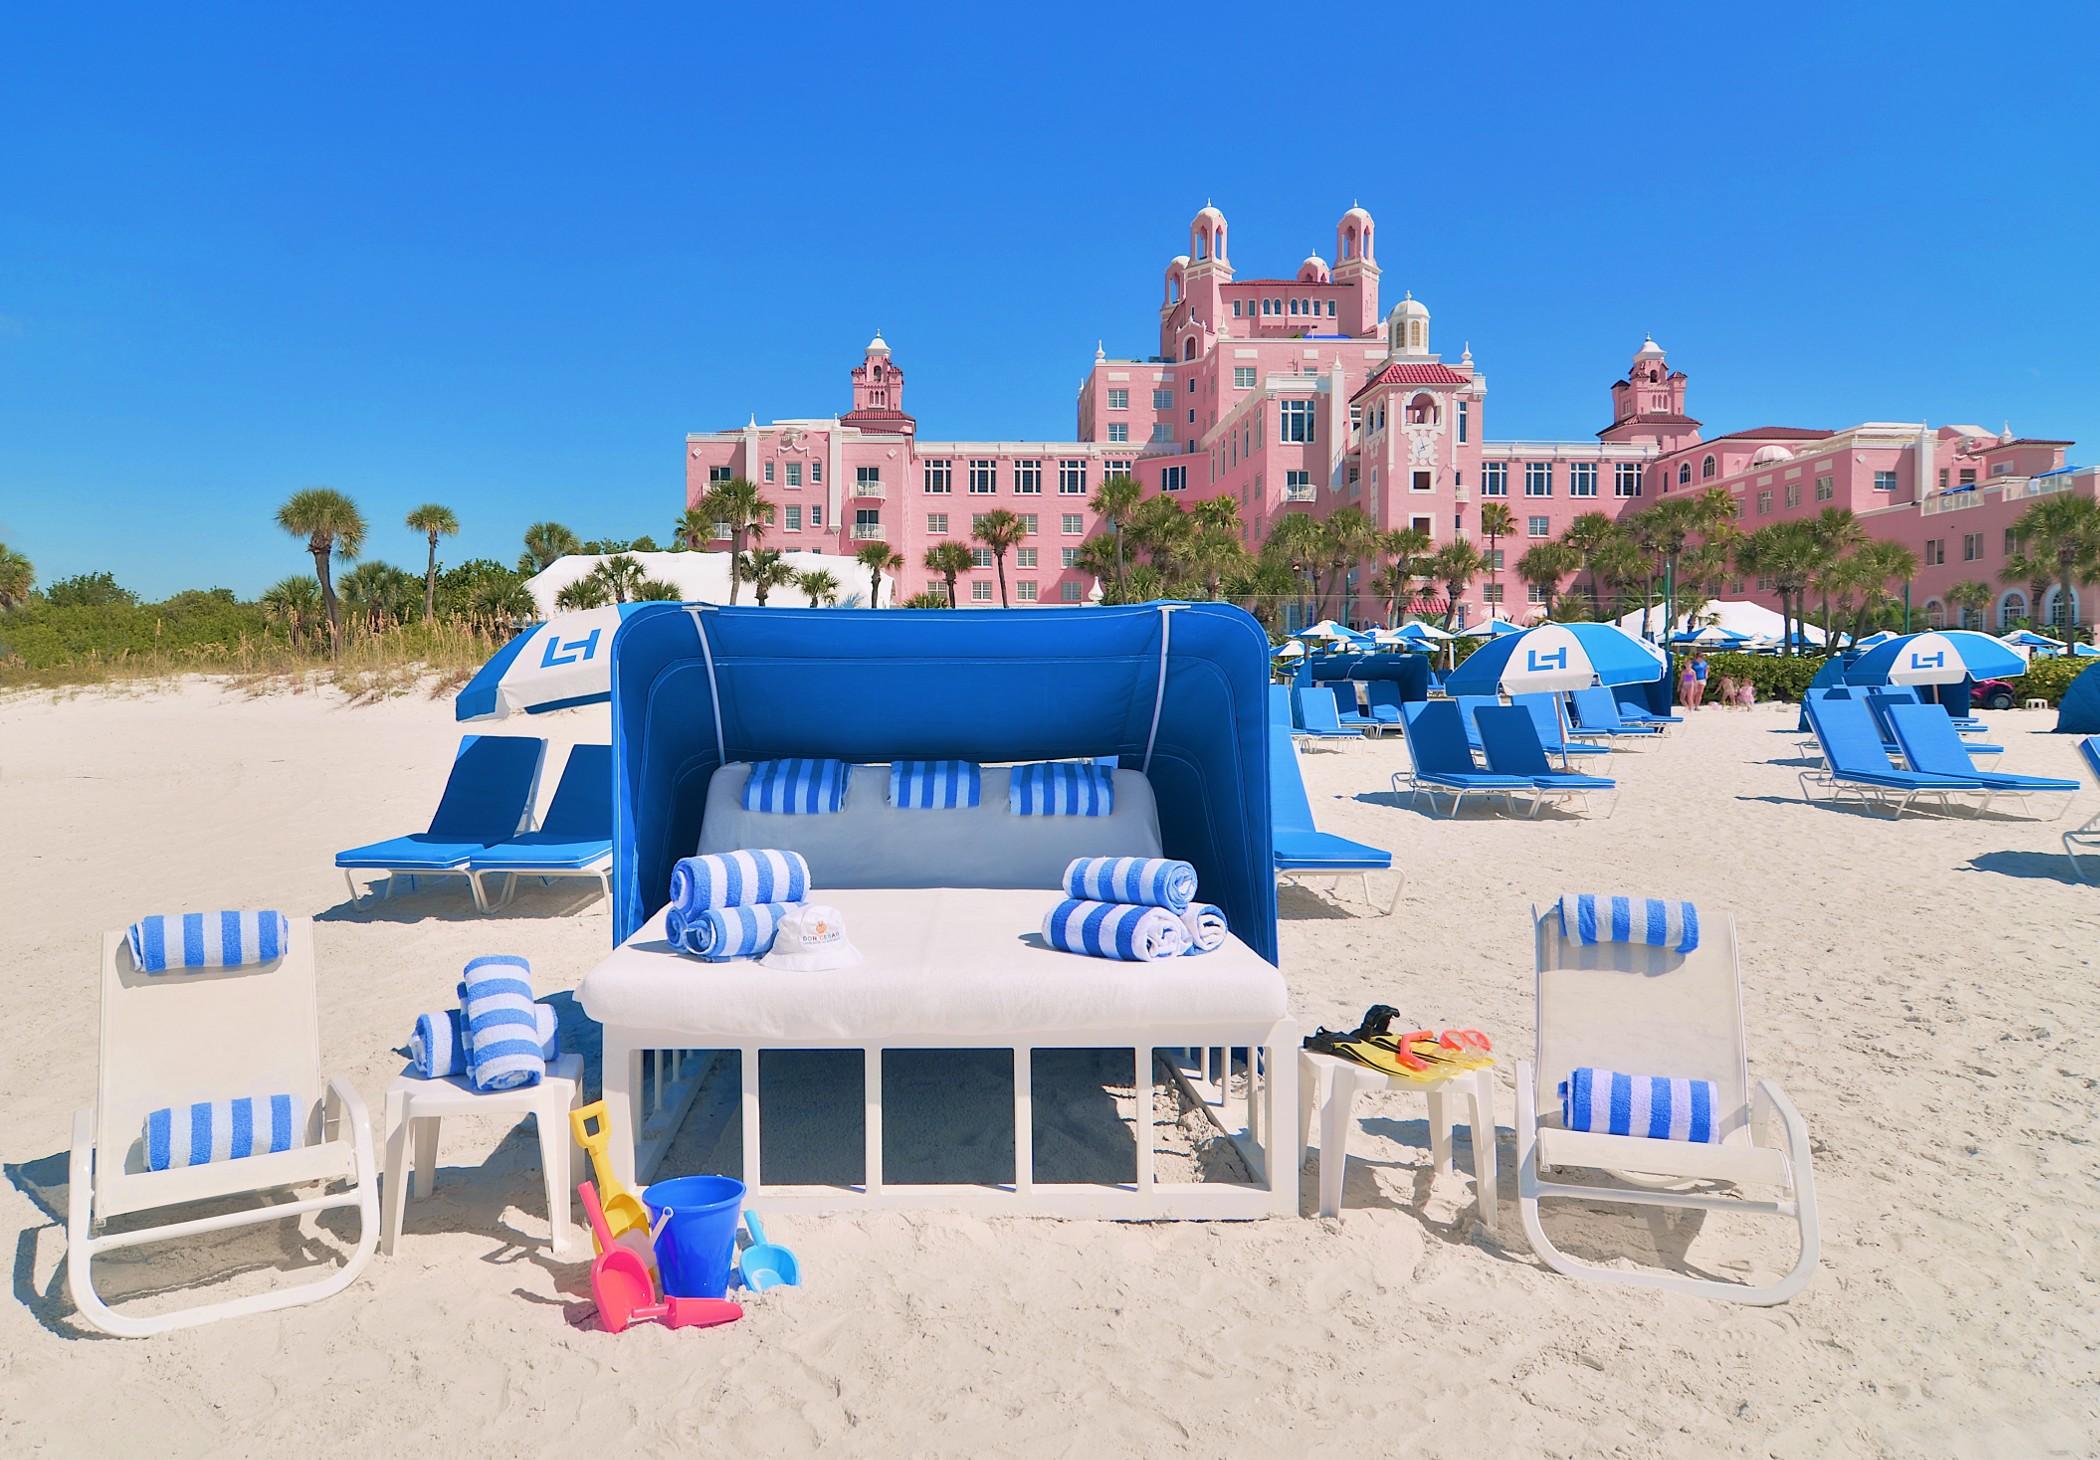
{"points": [[1299, 396]]}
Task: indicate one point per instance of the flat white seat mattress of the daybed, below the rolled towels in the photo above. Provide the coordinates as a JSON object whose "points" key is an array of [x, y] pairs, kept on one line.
{"points": [[936, 963]]}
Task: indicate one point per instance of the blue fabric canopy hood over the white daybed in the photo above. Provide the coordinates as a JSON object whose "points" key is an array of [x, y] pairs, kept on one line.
{"points": [[1173, 690]]}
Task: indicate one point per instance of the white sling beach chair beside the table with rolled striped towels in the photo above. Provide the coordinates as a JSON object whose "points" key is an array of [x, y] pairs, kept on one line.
{"points": [[213, 1035]]}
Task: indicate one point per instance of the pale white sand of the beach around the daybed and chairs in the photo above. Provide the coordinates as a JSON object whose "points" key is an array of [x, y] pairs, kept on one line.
{"points": [[1925, 990]]}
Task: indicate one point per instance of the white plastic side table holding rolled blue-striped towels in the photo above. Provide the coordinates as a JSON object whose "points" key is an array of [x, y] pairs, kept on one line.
{"points": [[415, 1108]]}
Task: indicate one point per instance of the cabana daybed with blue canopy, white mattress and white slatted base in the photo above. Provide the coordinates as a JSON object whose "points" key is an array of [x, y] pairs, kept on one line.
{"points": [[946, 906]]}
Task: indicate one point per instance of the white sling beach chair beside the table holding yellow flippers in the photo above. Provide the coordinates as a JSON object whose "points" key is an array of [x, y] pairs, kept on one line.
{"points": [[1654, 1011]]}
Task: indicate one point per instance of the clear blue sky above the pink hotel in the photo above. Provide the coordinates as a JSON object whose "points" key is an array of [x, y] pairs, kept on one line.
{"points": [[509, 257]]}
